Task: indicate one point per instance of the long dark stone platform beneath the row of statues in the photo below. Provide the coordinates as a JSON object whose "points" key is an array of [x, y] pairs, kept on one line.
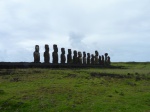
{"points": [[13, 65]]}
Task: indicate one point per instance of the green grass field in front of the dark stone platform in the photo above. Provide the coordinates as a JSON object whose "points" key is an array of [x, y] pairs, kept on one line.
{"points": [[76, 90]]}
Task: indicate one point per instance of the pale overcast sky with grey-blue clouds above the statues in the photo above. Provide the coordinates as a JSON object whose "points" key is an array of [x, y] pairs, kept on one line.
{"points": [[119, 27]]}
